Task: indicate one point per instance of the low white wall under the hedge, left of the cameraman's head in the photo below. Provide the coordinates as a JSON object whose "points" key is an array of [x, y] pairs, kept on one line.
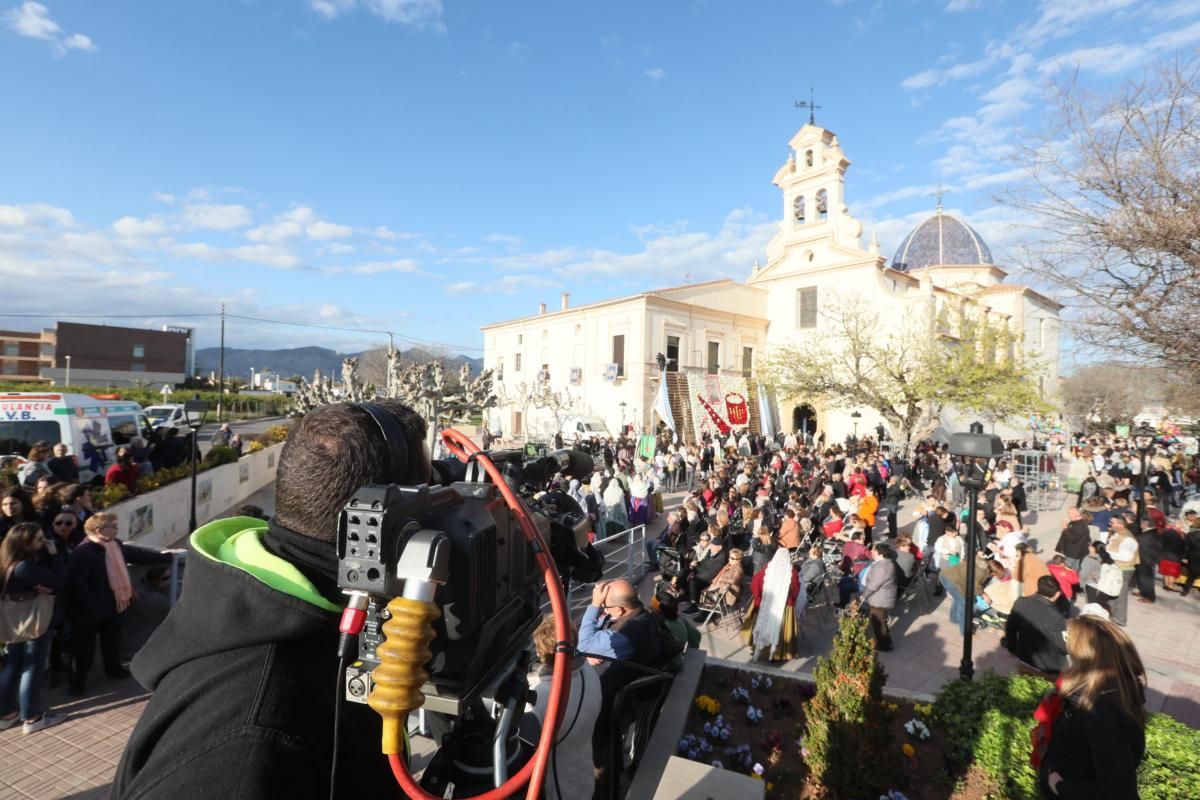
{"points": [[170, 508]]}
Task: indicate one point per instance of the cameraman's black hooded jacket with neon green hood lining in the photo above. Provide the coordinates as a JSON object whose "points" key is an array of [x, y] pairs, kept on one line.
{"points": [[244, 672]]}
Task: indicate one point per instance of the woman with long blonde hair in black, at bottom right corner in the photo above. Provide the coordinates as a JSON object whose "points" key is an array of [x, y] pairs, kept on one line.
{"points": [[1100, 738]]}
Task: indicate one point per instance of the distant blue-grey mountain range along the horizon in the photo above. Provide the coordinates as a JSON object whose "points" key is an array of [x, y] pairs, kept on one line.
{"points": [[304, 362]]}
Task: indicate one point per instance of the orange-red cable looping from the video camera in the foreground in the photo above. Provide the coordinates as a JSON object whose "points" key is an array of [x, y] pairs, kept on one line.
{"points": [[535, 771]]}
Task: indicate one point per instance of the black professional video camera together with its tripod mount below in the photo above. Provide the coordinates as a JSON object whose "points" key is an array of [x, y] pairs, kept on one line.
{"points": [[460, 546]]}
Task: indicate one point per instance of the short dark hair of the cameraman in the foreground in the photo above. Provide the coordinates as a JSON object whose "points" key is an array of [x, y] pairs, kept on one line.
{"points": [[331, 454]]}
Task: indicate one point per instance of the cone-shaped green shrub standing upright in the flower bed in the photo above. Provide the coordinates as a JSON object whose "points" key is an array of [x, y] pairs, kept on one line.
{"points": [[848, 723]]}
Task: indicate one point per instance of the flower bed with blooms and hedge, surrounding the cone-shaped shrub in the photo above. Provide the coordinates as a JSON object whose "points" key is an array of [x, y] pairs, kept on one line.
{"points": [[971, 744]]}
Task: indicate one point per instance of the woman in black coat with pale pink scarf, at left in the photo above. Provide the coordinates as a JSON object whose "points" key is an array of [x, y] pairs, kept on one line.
{"points": [[98, 600]]}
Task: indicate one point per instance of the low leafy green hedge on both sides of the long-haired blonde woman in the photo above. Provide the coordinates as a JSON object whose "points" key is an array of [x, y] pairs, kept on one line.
{"points": [[988, 724]]}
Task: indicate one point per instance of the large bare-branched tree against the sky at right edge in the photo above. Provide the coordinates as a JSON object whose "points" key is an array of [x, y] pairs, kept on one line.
{"points": [[1114, 189]]}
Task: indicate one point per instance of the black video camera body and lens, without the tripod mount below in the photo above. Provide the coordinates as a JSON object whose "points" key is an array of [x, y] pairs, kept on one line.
{"points": [[489, 590]]}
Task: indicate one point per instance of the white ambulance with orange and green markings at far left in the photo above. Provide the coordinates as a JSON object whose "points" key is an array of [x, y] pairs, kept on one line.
{"points": [[92, 429]]}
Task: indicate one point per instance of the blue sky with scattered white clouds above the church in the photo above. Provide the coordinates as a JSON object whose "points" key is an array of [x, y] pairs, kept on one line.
{"points": [[427, 167]]}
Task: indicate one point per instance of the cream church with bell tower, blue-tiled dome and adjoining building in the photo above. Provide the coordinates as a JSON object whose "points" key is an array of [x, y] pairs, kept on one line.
{"points": [[716, 335]]}
